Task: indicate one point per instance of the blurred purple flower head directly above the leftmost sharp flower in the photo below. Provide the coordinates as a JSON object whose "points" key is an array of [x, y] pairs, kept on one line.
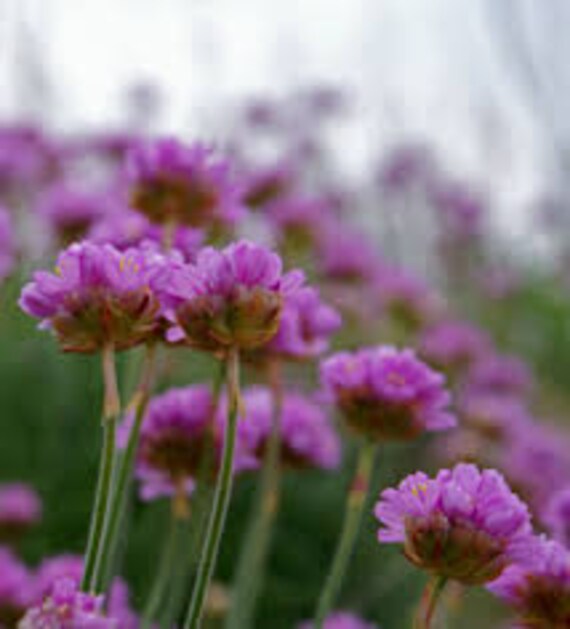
{"points": [[70, 212]]}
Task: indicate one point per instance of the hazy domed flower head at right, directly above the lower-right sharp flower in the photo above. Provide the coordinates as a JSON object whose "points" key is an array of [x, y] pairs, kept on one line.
{"points": [[499, 374]]}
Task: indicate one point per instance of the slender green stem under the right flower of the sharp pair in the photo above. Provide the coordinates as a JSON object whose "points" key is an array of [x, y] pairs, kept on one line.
{"points": [[221, 500]]}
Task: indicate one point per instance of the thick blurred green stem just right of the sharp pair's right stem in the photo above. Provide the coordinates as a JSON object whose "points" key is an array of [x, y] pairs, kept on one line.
{"points": [[253, 555]]}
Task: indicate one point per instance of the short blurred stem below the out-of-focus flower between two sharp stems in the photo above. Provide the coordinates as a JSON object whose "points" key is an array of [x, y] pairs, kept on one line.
{"points": [[163, 580]]}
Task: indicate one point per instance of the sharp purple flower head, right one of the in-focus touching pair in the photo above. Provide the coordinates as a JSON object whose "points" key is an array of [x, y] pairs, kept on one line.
{"points": [[233, 297]]}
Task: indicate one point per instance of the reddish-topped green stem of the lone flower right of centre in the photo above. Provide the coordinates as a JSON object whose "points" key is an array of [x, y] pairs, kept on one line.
{"points": [[355, 503]]}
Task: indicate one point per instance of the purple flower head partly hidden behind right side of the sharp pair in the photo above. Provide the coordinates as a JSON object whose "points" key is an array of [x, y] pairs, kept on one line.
{"points": [[306, 326]]}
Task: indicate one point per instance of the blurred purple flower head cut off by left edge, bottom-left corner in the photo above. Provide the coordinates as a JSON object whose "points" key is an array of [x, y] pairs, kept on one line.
{"points": [[15, 588]]}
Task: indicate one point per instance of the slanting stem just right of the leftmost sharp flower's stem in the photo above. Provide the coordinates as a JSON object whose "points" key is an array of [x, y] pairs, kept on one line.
{"points": [[124, 473]]}
